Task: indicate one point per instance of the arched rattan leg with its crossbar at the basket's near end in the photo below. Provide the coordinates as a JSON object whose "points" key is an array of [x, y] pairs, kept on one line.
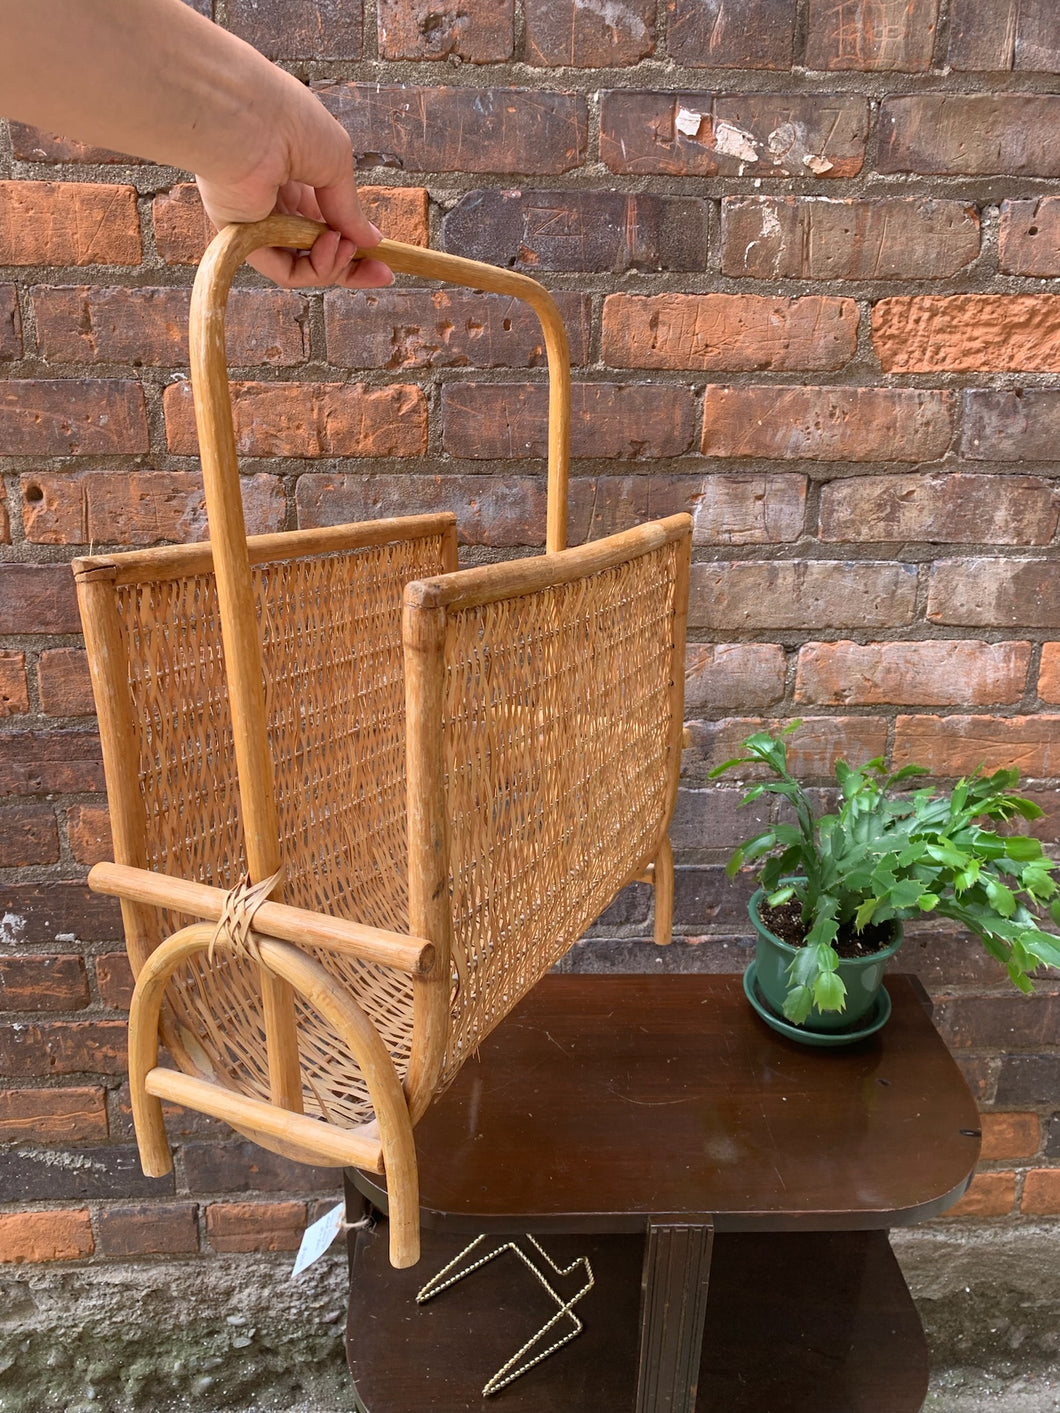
{"points": [[305, 976]]}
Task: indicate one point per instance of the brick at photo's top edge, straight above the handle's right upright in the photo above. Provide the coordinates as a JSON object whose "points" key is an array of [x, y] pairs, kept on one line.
{"points": [[572, 33]]}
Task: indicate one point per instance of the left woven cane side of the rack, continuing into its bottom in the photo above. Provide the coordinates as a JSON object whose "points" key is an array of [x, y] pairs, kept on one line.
{"points": [[336, 707]]}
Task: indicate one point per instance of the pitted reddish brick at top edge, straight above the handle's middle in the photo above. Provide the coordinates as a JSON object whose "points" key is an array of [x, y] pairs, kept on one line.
{"points": [[478, 32]]}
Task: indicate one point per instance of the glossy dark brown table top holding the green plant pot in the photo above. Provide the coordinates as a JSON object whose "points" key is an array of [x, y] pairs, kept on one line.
{"points": [[604, 1101]]}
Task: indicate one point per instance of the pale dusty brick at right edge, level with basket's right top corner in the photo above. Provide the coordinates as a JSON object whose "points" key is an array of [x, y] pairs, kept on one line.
{"points": [[942, 509]]}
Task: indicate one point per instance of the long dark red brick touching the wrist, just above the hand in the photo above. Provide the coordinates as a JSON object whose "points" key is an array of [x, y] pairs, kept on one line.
{"points": [[461, 129]]}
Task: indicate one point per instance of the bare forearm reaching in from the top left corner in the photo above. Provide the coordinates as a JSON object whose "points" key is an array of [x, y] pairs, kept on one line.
{"points": [[145, 77]]}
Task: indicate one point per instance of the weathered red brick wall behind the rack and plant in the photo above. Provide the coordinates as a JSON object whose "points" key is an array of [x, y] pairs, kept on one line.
{"points": [[805, 252]]}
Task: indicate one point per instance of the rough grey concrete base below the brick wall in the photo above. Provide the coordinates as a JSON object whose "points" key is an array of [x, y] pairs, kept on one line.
{"points": [[238, 1336]]}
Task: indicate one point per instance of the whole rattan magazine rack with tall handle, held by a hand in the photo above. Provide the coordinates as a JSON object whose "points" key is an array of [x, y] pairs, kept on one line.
{"points": [[453, 771]]}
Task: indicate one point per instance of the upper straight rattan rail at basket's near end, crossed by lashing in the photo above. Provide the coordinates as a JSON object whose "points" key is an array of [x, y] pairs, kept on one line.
{"points": [[413, 956]]}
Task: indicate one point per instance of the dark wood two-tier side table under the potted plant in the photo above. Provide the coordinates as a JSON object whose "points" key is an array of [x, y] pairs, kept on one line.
{"points": [[720, 1178]]}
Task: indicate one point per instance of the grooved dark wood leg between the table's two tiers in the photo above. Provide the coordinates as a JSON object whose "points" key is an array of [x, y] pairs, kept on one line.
{"points": [[673, 1306]]}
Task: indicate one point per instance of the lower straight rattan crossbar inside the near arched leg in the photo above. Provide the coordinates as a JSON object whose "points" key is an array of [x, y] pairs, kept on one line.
{"points": [[333, 1145]]}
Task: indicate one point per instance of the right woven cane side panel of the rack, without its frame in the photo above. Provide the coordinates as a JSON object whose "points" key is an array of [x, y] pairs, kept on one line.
{"points": [[559, 762]]}
